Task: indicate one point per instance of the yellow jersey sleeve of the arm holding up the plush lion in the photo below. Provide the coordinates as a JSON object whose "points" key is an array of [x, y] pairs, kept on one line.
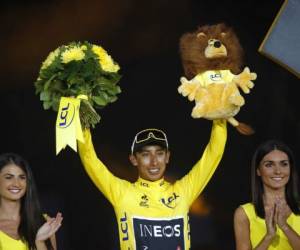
{"points": [[195, 181]]}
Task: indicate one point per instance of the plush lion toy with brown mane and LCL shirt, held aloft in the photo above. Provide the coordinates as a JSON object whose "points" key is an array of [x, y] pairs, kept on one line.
{"points": [[212, 58]]}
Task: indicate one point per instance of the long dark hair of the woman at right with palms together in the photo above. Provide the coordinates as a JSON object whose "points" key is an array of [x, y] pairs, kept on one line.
{"points": [[292, 187]]}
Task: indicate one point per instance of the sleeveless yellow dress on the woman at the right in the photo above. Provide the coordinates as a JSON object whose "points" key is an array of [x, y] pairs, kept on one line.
{"points": [[258, 229]]}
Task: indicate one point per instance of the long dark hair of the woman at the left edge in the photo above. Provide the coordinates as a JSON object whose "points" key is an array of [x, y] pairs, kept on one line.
{"points": [[31, 215]]}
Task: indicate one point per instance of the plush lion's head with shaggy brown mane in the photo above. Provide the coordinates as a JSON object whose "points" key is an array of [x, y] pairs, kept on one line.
{"points": [[210, 47]]}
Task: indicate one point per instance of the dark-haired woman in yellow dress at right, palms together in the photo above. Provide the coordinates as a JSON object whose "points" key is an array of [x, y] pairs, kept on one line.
{"points": [[272, 219]]}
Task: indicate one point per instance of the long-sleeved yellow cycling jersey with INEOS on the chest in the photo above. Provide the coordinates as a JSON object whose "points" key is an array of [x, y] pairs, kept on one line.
{"points": [[154, 215]]}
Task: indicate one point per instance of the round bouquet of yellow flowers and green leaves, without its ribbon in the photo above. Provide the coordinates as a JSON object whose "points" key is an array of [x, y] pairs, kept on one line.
{"points": [[77, 69]]}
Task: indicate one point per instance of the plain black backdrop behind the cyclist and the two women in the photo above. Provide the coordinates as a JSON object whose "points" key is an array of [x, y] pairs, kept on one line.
{"points": [[142, 36]]}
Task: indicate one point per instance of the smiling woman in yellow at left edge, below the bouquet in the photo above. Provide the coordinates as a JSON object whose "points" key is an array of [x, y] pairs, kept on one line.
{"points": [[22, 224]]}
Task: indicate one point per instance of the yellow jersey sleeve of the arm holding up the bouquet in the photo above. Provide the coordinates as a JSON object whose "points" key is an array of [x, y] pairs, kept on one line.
{"points": [[110, 185]]}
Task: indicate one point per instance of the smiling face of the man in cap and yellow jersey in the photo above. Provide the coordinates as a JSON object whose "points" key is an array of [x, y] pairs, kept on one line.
{"points": [[151, 162]]}
